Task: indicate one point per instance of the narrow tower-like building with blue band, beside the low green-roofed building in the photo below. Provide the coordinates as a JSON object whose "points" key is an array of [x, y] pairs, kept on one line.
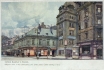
{"points": [[66, 28]]}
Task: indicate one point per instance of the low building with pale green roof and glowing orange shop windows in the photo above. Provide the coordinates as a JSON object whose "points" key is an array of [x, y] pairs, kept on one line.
{"points": [[42, 40]]}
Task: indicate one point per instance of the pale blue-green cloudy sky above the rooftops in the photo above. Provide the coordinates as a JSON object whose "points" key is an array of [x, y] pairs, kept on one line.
{"points": [[16, 15]]}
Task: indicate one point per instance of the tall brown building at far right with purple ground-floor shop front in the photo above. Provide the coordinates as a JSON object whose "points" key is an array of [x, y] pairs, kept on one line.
{"points": [[90, 32]]}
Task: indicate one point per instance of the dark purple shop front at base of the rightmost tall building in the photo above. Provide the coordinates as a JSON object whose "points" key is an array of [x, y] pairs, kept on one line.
{"points": [[90, 50]]}
